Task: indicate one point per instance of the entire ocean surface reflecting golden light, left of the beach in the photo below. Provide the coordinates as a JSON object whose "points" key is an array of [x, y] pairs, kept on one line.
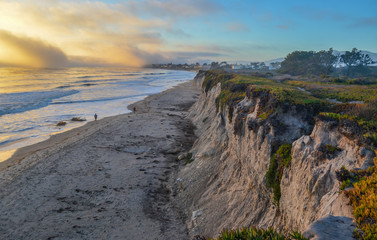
{"points": [[33, 101]]}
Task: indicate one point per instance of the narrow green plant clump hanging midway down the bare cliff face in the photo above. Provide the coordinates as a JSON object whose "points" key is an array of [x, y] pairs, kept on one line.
{"points": [[279, 160]]}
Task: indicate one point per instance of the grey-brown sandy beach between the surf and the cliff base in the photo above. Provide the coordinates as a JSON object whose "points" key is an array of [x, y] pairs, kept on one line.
{"points": [[110, 179]]}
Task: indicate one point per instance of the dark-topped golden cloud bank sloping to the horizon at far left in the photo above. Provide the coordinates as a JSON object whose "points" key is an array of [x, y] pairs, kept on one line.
{"points": [[24, 51]]}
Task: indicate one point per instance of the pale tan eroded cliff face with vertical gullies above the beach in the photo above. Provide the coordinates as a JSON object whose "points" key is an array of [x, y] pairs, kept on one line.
{"points": [[225, 186]]}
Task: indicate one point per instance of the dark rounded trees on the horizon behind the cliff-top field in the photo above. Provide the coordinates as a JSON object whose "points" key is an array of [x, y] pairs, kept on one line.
{"points": [[323, 62]]}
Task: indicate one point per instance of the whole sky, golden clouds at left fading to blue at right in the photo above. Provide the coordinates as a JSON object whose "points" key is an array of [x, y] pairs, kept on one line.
{"points": [[65, 33]]}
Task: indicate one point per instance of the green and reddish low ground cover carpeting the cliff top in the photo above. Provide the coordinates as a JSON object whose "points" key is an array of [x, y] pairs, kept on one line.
{"points": [[234, 88]]}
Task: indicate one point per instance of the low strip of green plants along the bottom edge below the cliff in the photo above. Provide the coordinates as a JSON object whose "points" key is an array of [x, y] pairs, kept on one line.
{"points": [[253, 233]]}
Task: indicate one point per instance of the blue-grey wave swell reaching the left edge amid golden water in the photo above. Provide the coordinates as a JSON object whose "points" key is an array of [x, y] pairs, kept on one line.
{"points": [[26, 101]]}
